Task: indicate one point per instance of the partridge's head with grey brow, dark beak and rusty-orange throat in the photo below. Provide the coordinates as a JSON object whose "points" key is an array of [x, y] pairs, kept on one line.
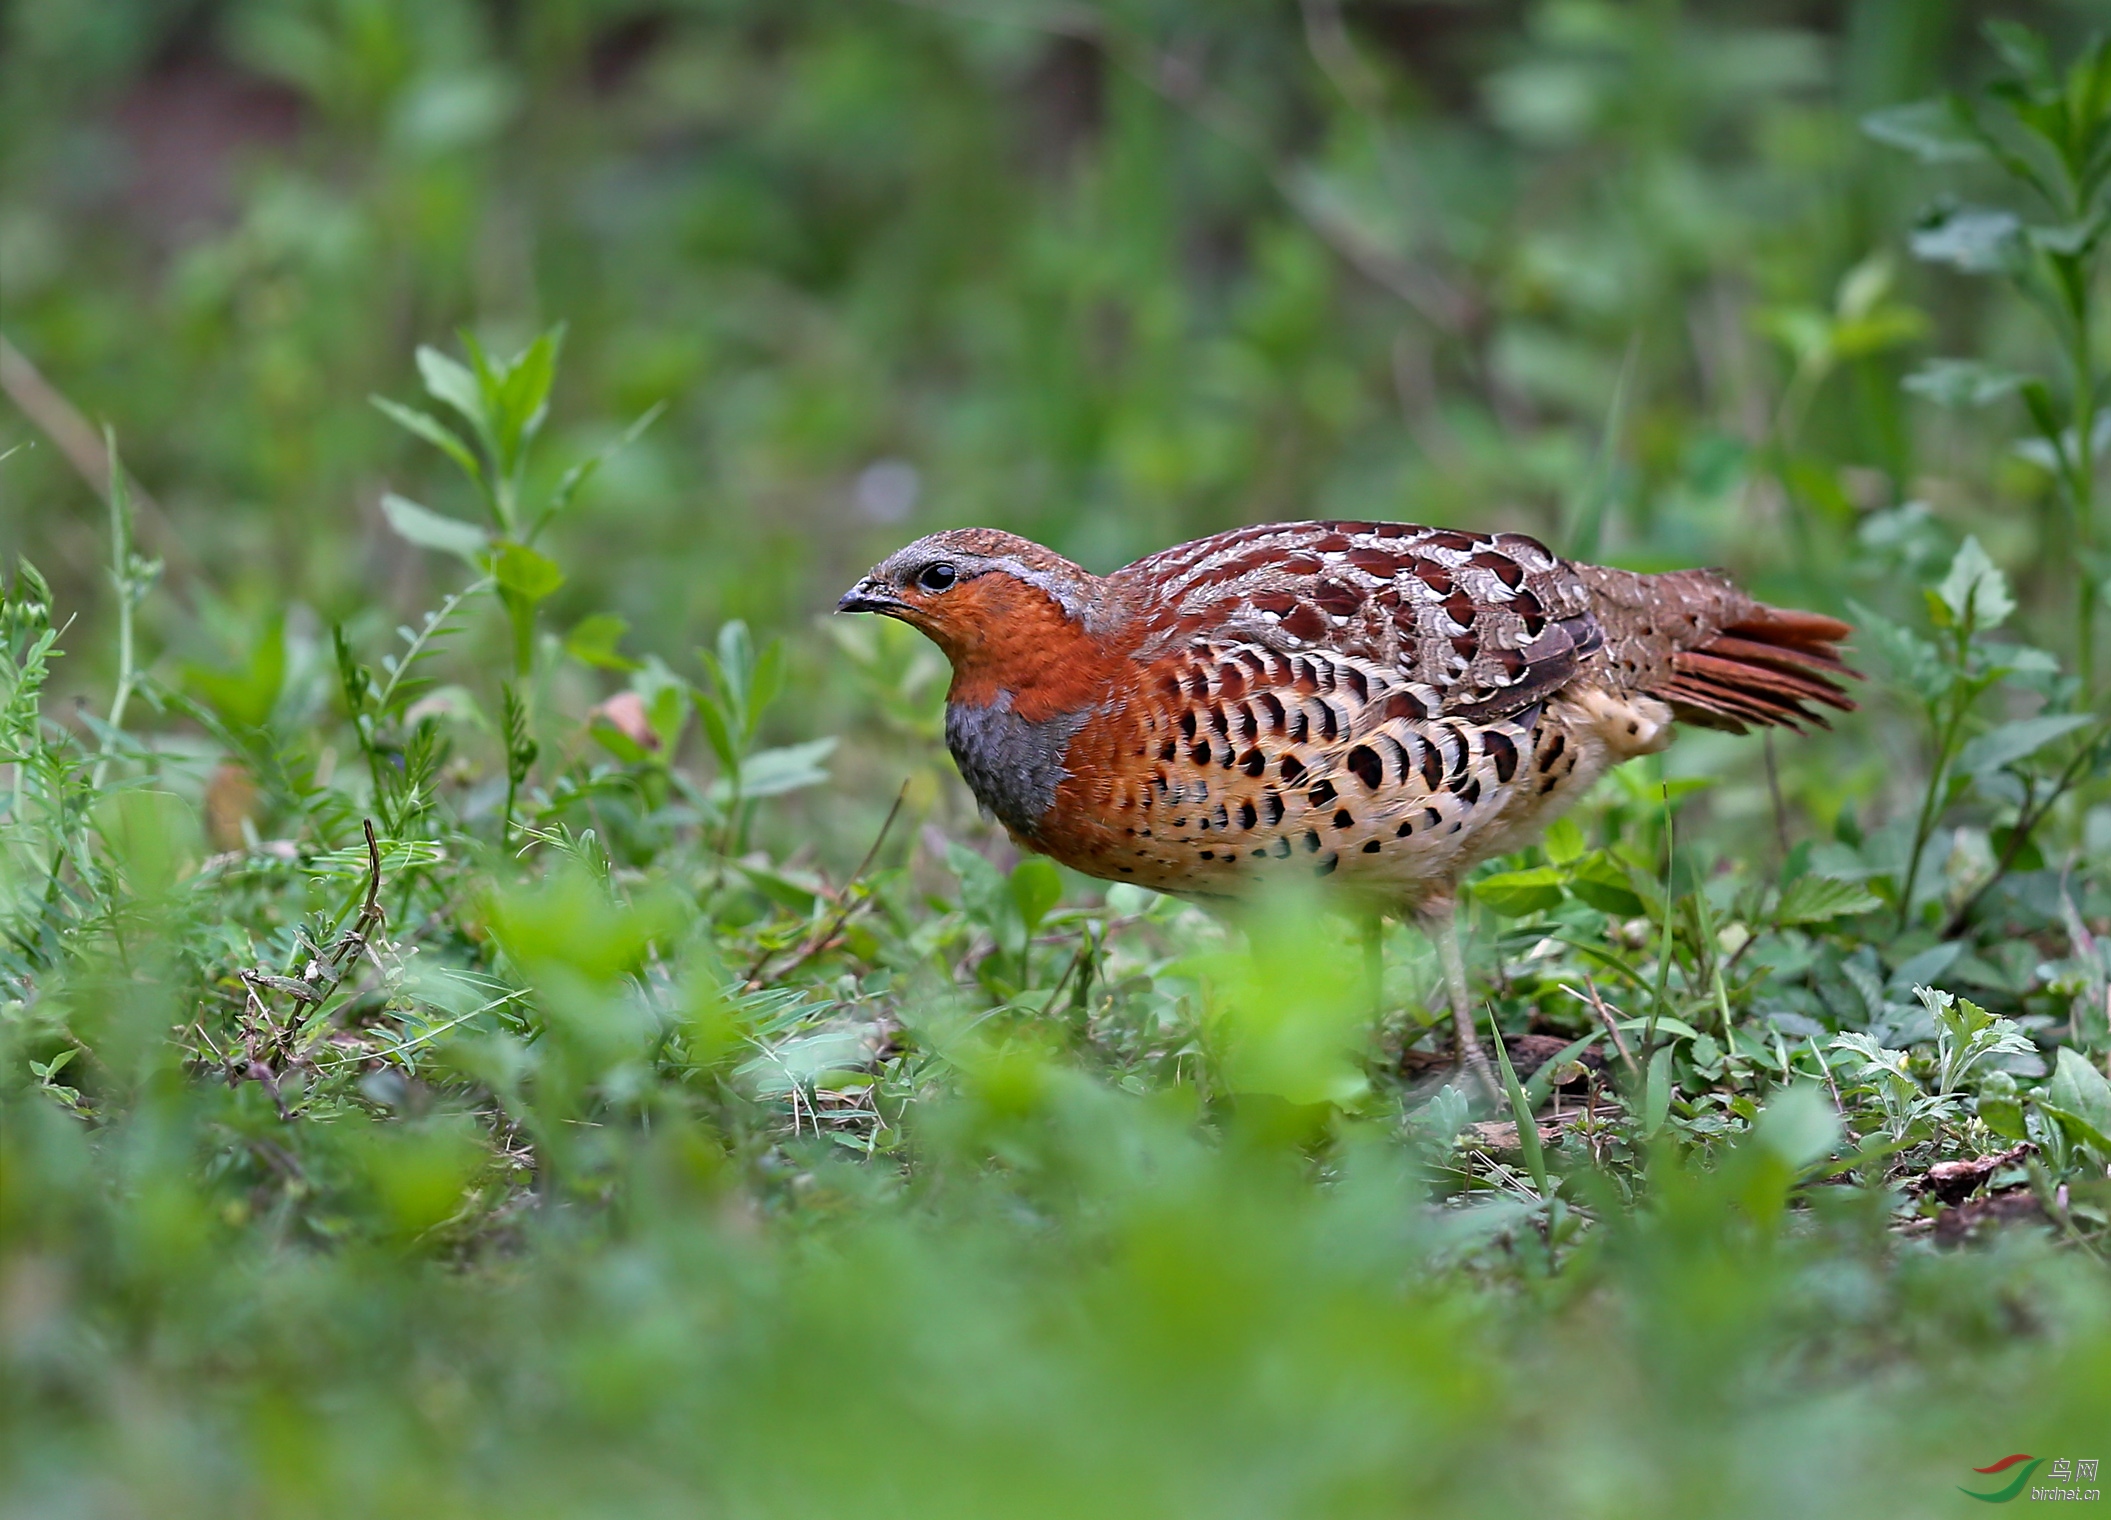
{"points": [[997, 605]]}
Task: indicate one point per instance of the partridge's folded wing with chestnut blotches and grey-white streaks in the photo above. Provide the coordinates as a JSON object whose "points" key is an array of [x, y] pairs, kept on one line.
{"points": [[1479, 626]]}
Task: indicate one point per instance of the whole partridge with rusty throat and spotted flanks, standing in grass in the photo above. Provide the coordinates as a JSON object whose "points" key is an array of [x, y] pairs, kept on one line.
{"points": [[1380, 706]]}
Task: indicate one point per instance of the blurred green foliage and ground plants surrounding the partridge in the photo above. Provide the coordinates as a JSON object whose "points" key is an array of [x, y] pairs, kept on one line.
{"points": [[506, 1014]]}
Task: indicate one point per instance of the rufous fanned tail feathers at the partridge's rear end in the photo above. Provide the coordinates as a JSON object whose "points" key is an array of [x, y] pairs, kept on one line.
{"points": [[1764, 668]]}
